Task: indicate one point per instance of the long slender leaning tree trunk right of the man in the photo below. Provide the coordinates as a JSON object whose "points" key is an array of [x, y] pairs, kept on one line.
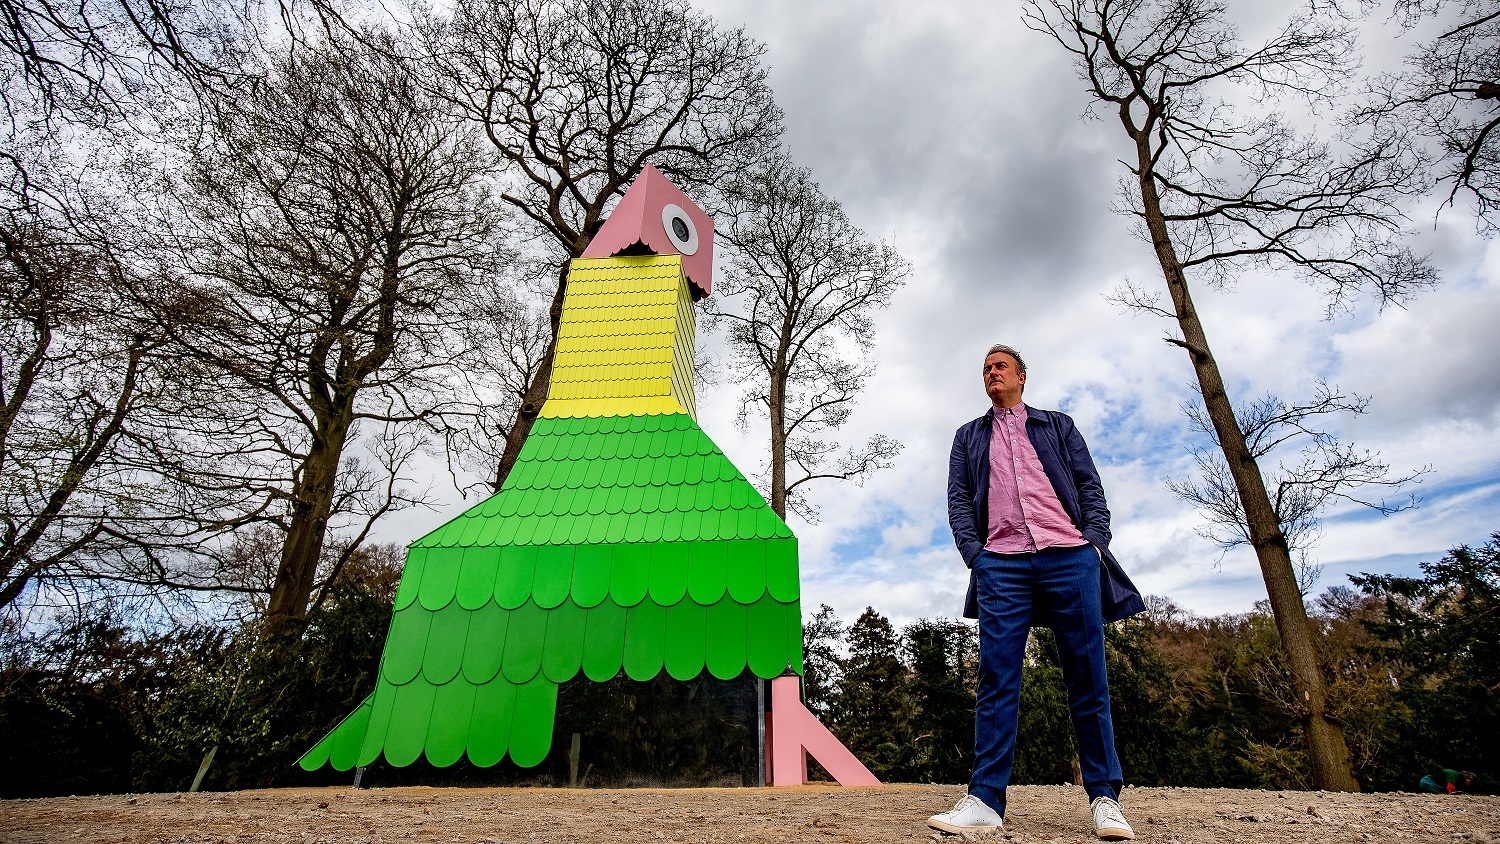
{"points": [[1327, 749]]}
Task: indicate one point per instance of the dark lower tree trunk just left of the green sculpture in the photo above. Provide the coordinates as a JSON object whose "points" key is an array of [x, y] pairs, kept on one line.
{"points": [[313, 504]]}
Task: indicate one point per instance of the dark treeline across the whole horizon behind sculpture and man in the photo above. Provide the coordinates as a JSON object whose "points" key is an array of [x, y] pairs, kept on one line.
{"points": [[94, 704]]}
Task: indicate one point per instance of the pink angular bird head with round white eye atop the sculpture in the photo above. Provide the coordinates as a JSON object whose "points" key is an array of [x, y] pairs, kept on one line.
{"points": [[658, 217]]}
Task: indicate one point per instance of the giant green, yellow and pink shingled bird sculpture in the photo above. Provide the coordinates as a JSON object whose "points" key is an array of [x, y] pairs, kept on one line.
{"points": [[623, 542]]}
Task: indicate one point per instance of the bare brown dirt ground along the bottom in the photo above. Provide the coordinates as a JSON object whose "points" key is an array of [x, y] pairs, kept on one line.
{"points": [[1052, 815]]}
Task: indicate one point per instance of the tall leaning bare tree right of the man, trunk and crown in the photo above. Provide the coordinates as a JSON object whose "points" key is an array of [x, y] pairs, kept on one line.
{"points": [[1219, 193]]}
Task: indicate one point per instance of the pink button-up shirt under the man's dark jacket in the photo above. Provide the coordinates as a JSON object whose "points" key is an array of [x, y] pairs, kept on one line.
{"points": [[1025, 513]]}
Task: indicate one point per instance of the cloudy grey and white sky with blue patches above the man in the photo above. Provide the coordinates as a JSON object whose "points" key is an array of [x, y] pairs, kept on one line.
{"points": [[956, 134]]}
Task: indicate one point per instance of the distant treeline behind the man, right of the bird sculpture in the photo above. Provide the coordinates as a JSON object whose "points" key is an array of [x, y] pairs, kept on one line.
{"points": [[1414, 666]]}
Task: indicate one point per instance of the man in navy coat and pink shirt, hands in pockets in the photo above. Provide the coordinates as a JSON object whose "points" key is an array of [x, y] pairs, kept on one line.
{"points": [[1030, 518]]}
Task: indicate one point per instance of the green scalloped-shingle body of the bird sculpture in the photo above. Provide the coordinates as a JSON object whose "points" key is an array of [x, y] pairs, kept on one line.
{"points": [[620, 545]]}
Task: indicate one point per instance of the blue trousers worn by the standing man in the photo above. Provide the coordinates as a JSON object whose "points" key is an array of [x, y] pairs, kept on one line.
{"points": [[1057, 588]]}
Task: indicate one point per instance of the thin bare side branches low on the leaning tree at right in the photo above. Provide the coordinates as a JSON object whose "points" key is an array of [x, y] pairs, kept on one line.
{"points": [[1325, 473]]}
